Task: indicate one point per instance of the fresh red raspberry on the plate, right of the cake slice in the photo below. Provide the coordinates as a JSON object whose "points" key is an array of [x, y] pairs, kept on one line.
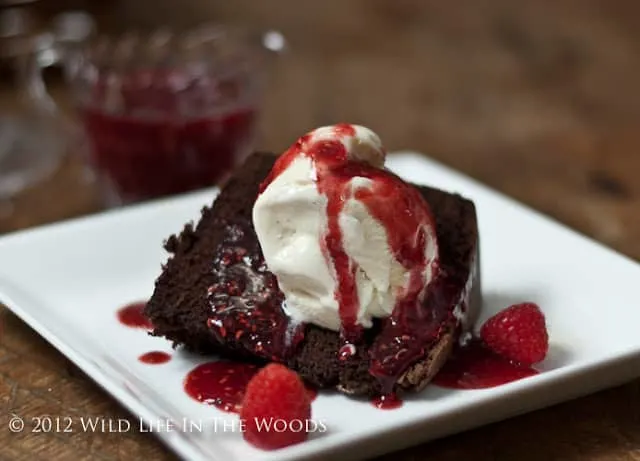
{"points": [[517, 333]]}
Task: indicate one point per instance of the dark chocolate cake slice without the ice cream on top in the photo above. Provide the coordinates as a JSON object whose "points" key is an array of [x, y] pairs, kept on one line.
{"points": [[216, 295]]}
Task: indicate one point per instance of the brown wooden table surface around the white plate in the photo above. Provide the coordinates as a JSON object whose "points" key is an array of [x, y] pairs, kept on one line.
{"points": [[539, 100]]}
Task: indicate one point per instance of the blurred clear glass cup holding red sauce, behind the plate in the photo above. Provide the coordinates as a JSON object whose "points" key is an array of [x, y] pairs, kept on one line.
{"points": [[166, 113]]}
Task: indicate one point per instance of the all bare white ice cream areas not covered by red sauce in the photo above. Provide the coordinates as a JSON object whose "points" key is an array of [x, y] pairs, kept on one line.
{"points": [[290, 220]]}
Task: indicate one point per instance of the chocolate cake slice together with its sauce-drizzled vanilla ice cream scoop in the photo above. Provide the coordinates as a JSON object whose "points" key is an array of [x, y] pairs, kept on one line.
{"points": [[325, 261]]}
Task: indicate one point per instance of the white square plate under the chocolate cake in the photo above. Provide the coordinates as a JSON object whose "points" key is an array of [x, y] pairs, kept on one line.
{"points": [[67, 280]]}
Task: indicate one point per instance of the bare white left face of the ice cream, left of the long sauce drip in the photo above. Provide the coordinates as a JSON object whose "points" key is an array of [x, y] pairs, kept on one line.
{"points": [[288, 218]]}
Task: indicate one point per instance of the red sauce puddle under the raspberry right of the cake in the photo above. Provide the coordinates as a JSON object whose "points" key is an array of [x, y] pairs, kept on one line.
{"points": [[473, 366]]}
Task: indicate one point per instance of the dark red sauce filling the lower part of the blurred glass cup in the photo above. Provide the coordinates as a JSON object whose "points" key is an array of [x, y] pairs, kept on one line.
{"points": [[143, 159]]}
